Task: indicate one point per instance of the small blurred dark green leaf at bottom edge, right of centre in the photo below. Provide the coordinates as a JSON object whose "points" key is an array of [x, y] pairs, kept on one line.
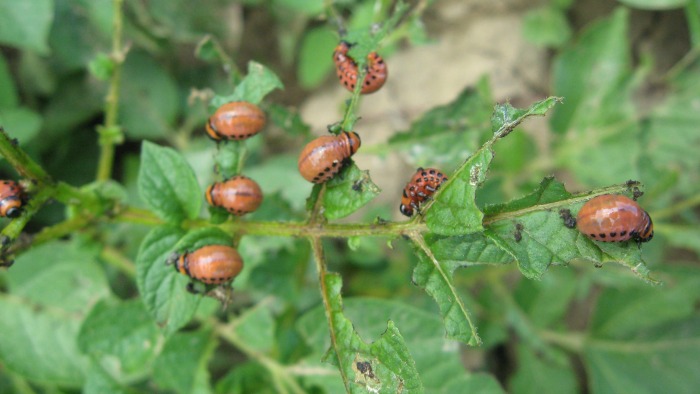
{"points": [[536, 374]]}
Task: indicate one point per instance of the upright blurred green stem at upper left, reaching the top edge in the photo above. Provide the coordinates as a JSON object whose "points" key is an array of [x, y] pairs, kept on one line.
{"points": [[110, 133]]}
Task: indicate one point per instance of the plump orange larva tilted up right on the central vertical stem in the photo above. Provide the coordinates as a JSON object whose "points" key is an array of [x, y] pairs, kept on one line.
{"points": [[323, 157]]}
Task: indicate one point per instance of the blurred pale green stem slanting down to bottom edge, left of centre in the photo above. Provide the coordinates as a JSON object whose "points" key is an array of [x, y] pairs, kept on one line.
{"points": [[282, 378]]}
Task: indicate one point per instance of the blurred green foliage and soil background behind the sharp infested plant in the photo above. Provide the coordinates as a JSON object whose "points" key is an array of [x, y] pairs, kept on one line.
{"points": [[71, 319]]}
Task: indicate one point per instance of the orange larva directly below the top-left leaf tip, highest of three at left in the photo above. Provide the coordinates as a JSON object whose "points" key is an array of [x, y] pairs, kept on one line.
{"points": [[236, 120]]}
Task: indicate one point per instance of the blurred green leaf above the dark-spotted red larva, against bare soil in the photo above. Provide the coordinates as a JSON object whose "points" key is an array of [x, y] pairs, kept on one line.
{"points": [[446, 133]]}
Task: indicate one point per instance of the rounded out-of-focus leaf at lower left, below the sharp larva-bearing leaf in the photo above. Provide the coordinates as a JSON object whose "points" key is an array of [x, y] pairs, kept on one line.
{"points": [[124, 331]]}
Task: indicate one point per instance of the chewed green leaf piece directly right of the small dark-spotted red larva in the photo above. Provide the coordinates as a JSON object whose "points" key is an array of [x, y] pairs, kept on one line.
{"points": [[454, 210]]}
